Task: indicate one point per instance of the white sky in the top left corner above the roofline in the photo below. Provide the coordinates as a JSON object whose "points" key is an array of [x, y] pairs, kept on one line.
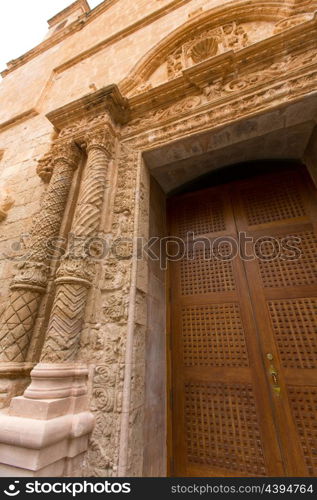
{"points": [[23, 24]]}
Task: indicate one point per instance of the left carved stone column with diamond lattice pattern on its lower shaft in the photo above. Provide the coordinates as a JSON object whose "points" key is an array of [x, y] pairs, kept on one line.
{"points": [[30, 281]]}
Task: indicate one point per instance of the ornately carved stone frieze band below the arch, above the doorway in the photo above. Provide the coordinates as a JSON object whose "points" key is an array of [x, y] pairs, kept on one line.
{"points": [[224, 90]]}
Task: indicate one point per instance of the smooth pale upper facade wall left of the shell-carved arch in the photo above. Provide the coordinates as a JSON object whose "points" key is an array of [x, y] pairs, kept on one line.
{"points": [[54, 77]]}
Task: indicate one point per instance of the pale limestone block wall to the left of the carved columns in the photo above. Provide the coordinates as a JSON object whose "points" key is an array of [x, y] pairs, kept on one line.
{"points": [[23, 145]]}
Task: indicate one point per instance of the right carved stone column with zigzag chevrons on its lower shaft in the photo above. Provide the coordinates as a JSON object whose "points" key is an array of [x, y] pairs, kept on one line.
{"points": [[75, 274]]}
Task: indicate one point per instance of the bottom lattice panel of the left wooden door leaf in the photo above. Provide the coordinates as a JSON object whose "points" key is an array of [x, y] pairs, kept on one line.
{"points": [[213, 437]]}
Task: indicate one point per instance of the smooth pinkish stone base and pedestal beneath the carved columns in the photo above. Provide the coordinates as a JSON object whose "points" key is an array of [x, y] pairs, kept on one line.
{"points": [[47, 436]]}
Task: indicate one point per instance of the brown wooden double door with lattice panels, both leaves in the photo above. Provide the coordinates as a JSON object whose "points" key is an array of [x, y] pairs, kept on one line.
{"points": [[243, 320]]}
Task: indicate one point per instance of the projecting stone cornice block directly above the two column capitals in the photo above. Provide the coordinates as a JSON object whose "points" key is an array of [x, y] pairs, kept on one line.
{"points": [[107, 101]]}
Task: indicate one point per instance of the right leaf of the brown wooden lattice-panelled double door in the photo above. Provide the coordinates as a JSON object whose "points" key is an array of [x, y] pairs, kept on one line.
{"points": [[283, 286]]}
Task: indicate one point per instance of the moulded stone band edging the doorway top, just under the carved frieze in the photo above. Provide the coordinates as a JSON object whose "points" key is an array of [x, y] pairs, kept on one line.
{"points": [[199, 117]]}
